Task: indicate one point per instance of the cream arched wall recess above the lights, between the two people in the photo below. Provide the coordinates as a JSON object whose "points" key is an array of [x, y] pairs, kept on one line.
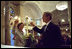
{"points": [[30, 9]]}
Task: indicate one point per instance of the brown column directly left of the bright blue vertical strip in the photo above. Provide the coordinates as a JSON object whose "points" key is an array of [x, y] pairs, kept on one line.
{"points": [[7, 27]]}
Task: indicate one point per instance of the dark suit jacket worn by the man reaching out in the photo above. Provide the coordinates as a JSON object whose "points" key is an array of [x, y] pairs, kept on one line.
{"points": [[51, 37]]}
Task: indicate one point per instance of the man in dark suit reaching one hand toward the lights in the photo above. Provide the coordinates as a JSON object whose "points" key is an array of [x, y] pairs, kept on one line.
{"points": [[51, 33]]}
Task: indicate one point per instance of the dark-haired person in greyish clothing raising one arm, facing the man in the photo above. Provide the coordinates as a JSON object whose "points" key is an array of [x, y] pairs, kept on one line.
{"points": [[18, 34]]}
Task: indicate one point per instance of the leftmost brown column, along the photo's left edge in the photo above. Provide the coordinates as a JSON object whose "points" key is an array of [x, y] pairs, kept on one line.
{"points": [[2, 23]]}
